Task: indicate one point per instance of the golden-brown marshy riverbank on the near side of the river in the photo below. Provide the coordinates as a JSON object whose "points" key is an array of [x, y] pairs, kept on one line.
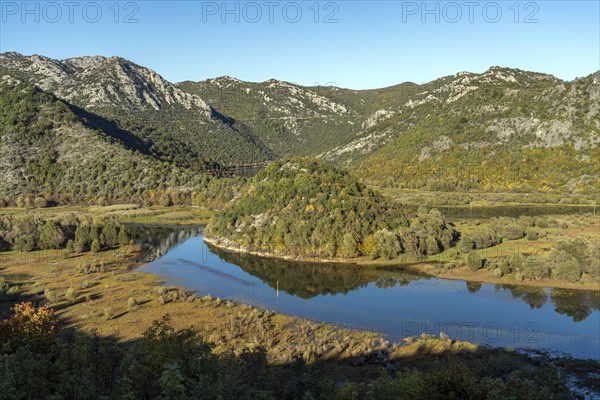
{"points": [[120, 302]]}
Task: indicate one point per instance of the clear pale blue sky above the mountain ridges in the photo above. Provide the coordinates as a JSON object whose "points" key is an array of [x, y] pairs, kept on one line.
{"points": [[355, 44]]}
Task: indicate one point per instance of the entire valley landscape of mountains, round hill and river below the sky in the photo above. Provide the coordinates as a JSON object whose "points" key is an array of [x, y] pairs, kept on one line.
{"points": [[301, 227]]}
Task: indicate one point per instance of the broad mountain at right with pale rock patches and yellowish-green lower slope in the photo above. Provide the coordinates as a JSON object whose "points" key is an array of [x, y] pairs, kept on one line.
{"points": [[504, 129]]}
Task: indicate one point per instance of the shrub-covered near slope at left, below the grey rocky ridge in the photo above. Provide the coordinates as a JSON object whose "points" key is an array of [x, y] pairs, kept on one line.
{"points": [[47, 146]]}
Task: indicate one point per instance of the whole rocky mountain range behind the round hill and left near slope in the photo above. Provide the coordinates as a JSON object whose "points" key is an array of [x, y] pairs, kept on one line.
{"points": [[503, 129]]}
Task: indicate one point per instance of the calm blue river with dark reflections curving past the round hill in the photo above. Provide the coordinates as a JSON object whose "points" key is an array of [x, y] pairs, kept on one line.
{"points": [[395, 303]]}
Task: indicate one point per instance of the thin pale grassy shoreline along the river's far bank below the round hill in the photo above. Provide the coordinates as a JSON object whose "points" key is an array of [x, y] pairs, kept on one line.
{"points": [[426, 268]]}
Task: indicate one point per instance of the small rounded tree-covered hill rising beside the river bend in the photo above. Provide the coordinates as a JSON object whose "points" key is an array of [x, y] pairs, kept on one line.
{"points": [[306, 208]]}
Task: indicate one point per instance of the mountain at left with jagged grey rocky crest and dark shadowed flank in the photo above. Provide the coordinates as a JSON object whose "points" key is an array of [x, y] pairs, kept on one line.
{"points": [[176, 125]]}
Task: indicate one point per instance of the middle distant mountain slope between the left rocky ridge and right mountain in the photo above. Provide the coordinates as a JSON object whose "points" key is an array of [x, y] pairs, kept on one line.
{"points": [[289, 118]]}
